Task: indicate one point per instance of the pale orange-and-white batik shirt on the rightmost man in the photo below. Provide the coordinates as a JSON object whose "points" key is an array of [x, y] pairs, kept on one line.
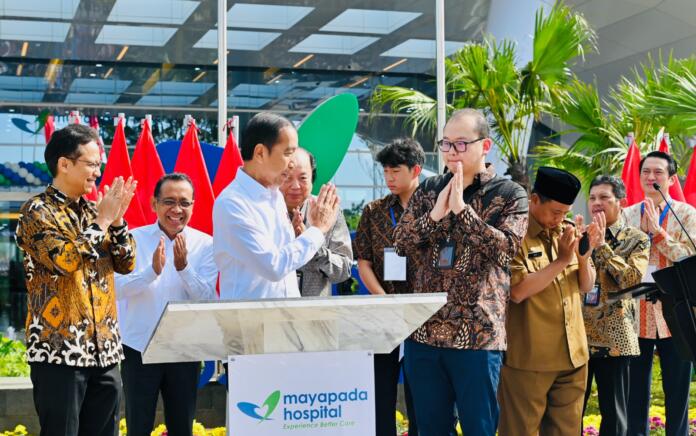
{"points": [[666, 247]]}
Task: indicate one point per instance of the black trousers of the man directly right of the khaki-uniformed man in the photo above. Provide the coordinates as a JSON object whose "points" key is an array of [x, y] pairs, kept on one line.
{"points": [[612, 376]]}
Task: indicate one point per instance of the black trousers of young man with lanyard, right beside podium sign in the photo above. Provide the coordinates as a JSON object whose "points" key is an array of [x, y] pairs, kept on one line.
{"points": [[387, 368]]}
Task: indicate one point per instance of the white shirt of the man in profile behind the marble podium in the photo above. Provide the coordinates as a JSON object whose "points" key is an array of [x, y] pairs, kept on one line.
{"points": [[255, 246]]}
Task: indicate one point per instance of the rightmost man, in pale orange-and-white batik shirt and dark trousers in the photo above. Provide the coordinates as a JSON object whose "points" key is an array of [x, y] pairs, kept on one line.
{"points": [[668, 243]]}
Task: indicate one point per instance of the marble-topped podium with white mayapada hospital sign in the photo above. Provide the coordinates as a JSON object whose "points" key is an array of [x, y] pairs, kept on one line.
{"points": [[283, 348]]}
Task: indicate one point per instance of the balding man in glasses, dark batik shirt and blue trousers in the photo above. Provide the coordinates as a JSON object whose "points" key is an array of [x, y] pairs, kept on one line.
{"points": [[461, 231]]}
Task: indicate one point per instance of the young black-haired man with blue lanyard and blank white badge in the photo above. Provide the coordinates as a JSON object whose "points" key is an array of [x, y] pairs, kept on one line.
{"points": [[382, 271]]}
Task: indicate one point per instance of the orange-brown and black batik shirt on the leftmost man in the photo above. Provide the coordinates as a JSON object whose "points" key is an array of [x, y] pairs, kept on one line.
{"points": [[69, 263]]}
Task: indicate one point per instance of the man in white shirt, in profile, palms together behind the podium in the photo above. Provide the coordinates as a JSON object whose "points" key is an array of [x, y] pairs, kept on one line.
{"points": [[255, 246]]}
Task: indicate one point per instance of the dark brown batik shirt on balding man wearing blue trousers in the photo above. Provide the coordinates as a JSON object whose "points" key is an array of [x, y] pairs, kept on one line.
{"points": [[486, 235]]}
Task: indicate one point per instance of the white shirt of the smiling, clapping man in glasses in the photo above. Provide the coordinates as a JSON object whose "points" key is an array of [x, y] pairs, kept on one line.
{"points": [[142, 295]]}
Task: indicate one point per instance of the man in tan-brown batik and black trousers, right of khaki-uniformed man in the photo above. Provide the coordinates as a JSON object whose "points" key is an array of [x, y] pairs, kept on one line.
{"points": [[621, 262]]}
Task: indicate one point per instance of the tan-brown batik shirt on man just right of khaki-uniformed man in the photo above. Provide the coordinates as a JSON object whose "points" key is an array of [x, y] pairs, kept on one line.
{"points": [[621, 263]]}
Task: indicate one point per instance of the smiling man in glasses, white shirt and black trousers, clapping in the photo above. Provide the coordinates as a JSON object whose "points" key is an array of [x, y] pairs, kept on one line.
{"points": [[173, 263]]}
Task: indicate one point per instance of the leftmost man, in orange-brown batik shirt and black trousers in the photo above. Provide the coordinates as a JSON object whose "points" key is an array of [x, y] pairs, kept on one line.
{"points": [[71, 249]]}
